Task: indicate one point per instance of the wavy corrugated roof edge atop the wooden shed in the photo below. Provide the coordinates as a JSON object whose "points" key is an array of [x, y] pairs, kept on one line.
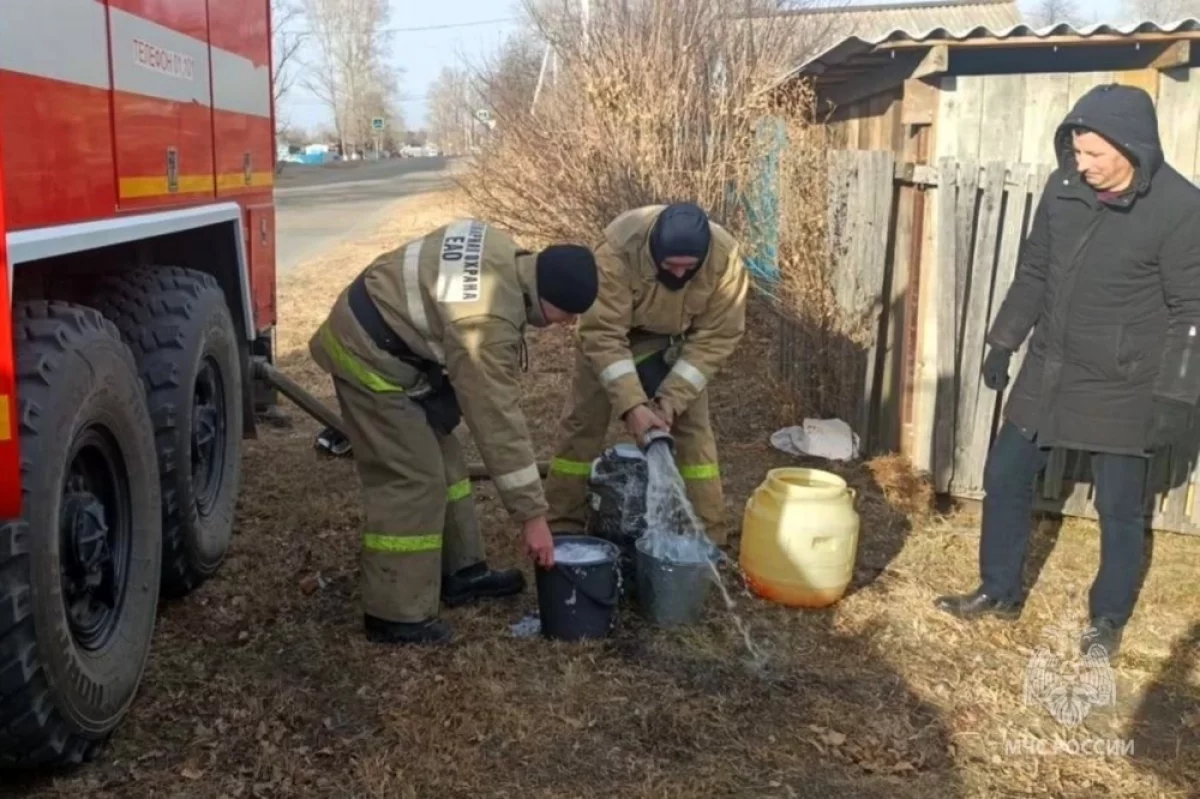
{"points": [[856, 51]]}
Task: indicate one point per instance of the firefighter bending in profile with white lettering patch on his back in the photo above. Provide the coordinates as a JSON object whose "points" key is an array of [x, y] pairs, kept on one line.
{"points": [[427, 337]]}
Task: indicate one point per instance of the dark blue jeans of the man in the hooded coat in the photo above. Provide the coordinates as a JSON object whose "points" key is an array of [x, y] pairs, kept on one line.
{"points": [[1010, 477]]}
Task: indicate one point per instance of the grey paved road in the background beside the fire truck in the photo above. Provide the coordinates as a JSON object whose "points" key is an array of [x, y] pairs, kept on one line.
{"points": [[320, 207]]}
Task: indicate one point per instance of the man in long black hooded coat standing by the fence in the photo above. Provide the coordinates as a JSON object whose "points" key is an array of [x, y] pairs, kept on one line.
{"points": [[1109, 283]]}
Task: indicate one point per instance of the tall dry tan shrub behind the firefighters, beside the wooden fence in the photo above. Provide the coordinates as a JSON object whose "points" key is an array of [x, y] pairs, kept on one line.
{"points": [[665, 101]]}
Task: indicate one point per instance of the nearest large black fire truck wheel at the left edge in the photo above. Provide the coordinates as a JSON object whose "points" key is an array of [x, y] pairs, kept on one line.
{"points": [[80, 570]]}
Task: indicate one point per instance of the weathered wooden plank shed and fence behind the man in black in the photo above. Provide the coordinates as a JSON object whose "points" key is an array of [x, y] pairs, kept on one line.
{"points": [[956, 125]]}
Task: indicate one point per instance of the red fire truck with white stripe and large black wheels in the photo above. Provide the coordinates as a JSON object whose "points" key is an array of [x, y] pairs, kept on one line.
{"points": [[137, 232]]}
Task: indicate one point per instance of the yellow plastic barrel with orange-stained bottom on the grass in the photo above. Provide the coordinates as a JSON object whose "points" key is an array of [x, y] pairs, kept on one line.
{"points": [[800, 538]]}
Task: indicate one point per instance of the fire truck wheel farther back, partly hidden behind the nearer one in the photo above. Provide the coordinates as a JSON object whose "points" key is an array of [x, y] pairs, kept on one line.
{"points": [[182, 333]]}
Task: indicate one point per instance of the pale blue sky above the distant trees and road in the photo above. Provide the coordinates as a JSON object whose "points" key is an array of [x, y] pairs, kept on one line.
{"points": [[422, 55]]}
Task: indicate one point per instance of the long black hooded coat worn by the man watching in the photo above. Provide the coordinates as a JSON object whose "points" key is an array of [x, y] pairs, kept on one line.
{"points": [[1112, 291]]}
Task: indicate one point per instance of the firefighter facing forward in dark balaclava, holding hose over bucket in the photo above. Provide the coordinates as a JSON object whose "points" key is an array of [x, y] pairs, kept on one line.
{"points": [[671, 310]]}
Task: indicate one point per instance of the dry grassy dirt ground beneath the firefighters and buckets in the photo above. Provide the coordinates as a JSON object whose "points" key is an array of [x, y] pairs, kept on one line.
{"points": [[262, 686]]}
